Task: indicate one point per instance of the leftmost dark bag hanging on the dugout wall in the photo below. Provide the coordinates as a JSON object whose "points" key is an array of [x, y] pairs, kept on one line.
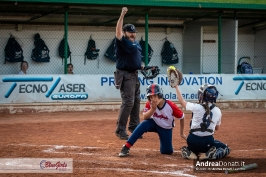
{"points": [[13, 51]]}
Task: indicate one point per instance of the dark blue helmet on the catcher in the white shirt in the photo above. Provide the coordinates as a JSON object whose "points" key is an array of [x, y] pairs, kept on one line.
{"points": [[207, 93]]}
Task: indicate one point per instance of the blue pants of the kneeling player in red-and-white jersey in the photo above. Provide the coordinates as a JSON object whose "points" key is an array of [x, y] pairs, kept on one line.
{"points": [[149, 125]]}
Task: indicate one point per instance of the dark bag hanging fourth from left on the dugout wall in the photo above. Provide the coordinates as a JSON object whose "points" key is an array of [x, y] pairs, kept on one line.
{"points": [[92, 53]]}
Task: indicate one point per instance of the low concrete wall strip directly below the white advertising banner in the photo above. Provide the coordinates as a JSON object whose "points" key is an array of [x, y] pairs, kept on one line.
{"points": [[111, 106]]}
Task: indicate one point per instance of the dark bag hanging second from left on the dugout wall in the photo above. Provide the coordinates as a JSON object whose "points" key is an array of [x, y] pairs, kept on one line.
{"points": [[41, 52]]}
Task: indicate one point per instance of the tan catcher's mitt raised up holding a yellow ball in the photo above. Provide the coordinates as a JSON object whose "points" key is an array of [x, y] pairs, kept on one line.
{"points": [[174, 76]]}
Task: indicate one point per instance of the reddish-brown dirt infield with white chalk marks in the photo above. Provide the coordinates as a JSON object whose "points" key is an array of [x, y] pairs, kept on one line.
{"points": [[88, 138]]}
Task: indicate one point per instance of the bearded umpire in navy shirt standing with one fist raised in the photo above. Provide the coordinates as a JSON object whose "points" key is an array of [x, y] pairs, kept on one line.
{"points": [[128, 61]]}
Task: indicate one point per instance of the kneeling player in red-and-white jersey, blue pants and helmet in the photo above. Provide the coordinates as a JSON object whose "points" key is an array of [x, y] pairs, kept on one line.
{"points": [[159, 115]]}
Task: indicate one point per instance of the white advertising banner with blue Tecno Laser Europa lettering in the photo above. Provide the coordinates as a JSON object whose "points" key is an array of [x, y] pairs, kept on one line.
{"points": [[100, 88]]}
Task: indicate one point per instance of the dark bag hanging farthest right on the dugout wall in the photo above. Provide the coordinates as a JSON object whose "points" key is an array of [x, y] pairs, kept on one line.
{"points": [[169, 53]]}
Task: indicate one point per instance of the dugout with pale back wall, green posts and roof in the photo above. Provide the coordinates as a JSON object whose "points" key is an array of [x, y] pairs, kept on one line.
{"points": [[209, 37]]}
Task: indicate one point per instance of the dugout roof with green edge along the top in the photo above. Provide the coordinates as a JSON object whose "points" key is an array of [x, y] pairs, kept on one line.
{"points": [[251, 14]]}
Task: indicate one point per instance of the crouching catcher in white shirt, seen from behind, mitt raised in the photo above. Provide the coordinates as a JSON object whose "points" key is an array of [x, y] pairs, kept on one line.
{"points": [[206, 118]]}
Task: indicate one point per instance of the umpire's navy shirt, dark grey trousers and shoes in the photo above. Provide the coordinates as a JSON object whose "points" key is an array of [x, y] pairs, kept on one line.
{"points": [[128, 61]]}
